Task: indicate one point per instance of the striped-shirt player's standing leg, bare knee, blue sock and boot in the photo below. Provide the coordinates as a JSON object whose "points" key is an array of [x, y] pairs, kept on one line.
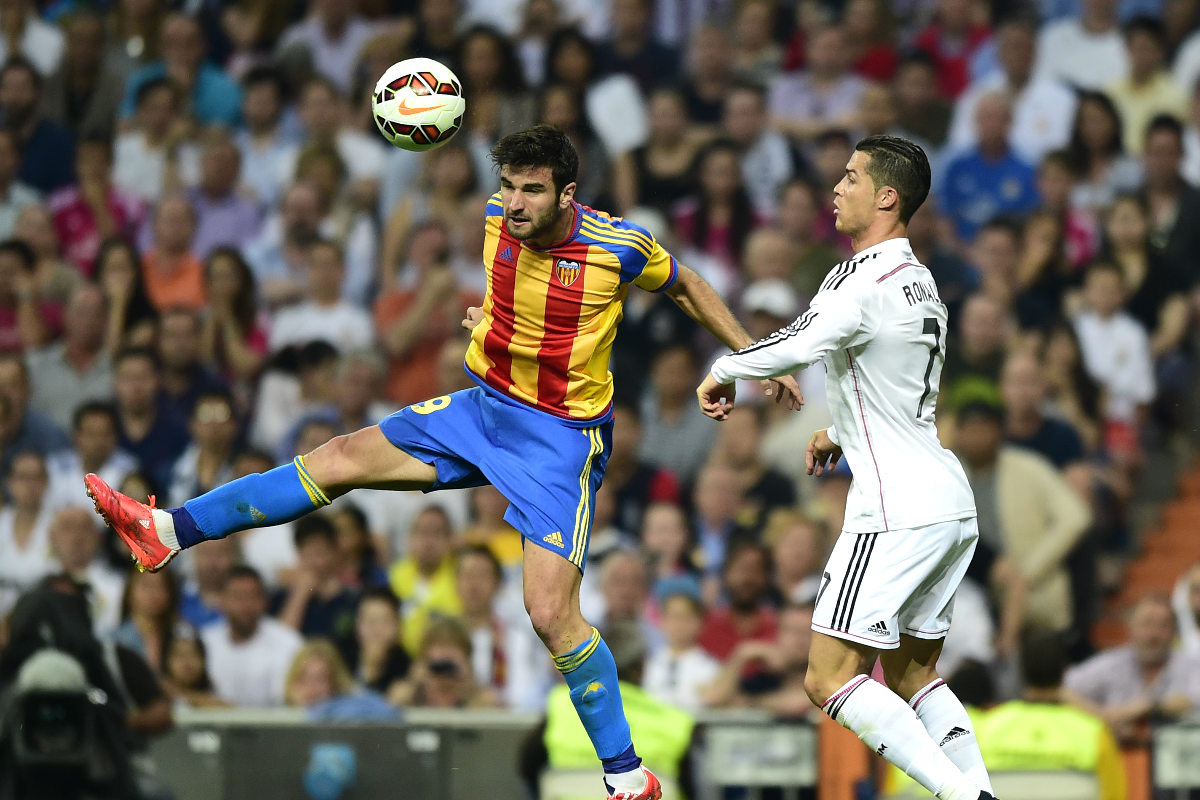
{"points": [[553, 599]]}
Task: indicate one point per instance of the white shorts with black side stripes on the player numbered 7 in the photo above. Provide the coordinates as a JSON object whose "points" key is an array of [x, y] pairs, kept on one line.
{"points": [[877, 587]]}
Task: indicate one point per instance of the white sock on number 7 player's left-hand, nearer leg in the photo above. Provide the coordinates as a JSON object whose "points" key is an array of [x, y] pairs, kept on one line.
{"points": [[890, 727]]}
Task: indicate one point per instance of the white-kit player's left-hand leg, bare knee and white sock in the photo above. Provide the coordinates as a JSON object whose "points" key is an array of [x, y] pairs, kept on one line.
{"points": [[838, 684]]}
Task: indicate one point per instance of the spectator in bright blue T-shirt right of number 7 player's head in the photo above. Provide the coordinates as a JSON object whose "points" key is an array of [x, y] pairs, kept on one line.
{"points": [[989, 179]]}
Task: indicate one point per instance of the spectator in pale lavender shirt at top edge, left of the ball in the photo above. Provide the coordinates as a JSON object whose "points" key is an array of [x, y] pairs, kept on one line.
{"points": [[332, 35]]}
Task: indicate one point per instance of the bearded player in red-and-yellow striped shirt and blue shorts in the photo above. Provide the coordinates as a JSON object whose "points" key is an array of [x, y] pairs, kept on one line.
{"points": [[538, 424]]}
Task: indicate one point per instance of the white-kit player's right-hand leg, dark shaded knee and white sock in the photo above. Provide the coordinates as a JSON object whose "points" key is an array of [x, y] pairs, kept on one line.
{"points": [[911, 672]]}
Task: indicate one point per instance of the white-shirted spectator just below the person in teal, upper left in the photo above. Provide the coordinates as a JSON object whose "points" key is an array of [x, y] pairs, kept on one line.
{"points": [[155, 155]]}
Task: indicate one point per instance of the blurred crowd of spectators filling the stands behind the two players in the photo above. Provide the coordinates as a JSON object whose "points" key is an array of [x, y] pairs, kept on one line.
{"points": [[212, 262]]}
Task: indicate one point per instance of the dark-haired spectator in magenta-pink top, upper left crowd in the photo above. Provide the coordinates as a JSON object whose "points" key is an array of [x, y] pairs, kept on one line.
{"points": [[93, 209]]}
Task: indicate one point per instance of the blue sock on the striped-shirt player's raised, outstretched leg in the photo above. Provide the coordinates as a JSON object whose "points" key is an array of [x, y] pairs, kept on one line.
{"points": [[256, 501]]}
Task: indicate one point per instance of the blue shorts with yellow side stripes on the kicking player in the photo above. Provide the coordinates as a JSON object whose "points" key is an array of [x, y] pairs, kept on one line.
{"points": [[549, 471]]}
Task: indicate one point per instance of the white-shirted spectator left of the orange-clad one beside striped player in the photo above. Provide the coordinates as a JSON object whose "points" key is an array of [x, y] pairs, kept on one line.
{"points": [[325, 314]]}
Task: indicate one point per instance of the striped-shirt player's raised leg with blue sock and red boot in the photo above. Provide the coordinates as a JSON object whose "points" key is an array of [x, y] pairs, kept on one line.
{"points": [[364, 459]]}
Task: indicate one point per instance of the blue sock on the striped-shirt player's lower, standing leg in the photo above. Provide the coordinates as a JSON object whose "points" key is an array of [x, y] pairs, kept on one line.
{"points": [[591, 675]]}
